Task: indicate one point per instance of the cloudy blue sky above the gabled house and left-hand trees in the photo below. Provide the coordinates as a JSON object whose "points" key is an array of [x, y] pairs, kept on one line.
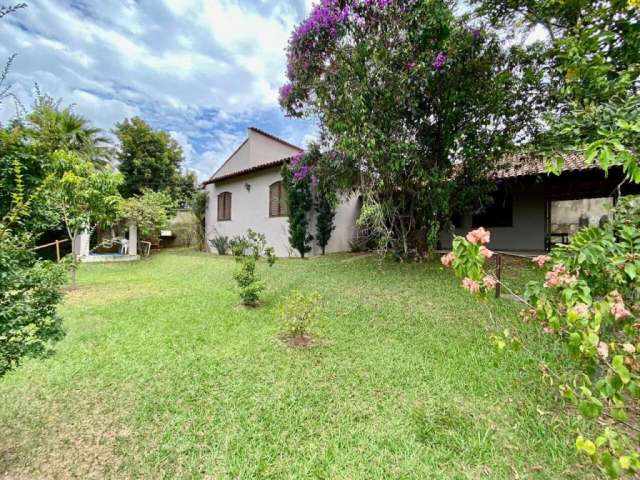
{"points": [[204, 70]]}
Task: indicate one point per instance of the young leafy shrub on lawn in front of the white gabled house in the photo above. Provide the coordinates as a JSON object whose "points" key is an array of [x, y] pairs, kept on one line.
{"points": [[247, 251]]}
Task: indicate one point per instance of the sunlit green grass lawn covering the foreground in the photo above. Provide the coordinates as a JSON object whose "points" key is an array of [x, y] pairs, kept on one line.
{"points": [[163, 375]]}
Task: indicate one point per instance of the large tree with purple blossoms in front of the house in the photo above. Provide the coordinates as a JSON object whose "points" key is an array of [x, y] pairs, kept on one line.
{"points": [[420, 102]]}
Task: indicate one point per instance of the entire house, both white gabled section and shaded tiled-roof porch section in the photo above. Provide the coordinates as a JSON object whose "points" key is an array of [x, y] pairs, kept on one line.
{"points": [[531, 209]]}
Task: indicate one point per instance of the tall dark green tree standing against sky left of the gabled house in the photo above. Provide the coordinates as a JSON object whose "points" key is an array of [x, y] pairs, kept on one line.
{"points": [[148, 158]]}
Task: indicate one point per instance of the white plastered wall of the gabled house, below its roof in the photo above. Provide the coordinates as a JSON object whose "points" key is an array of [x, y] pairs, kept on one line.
{"points": [[250, 209]]}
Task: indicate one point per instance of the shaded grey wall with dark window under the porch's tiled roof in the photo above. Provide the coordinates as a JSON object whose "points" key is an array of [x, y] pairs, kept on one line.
{"points": [[527, 232]]}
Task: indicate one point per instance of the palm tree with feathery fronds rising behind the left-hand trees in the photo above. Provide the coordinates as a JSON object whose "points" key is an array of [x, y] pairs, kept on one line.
{"points": [[61, 129]]}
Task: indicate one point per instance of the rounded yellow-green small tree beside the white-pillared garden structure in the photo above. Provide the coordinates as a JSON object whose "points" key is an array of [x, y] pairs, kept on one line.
{"points": [[150, 211]]}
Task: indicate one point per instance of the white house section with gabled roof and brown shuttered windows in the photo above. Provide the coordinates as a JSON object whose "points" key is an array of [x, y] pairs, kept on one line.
{"points": [[247, 192]]}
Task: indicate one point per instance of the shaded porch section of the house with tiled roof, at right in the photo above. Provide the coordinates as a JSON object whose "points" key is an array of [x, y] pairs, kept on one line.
{"points": [[533, 210]]}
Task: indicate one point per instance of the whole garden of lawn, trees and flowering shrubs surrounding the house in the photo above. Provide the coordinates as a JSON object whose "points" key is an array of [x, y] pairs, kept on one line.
{"points": [[389, 363]]}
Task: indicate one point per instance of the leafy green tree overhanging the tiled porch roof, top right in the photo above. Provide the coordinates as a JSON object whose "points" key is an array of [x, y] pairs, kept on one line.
{"points": [[593, 68]]}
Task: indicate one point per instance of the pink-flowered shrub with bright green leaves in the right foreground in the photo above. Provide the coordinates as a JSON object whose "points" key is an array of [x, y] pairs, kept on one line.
{"points": [[590, 299]]}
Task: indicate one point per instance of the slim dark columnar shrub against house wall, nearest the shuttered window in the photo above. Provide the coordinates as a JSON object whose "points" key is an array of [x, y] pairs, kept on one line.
{"points": [[296, 178]]}
